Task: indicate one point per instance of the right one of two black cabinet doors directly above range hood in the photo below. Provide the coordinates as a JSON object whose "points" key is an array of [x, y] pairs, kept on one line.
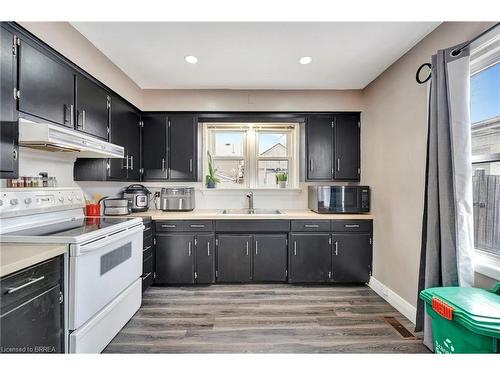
{"points": [[92, 108]]}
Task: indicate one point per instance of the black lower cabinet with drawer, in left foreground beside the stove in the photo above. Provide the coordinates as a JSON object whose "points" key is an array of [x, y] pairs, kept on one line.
{"points": [[32, 309]]}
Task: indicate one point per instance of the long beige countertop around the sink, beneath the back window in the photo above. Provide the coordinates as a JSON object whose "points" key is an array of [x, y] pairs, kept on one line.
{"points": [[217, 215]]}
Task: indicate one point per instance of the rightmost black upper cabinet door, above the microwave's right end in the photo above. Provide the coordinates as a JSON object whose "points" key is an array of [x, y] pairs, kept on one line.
{"points": [[347, 147]]}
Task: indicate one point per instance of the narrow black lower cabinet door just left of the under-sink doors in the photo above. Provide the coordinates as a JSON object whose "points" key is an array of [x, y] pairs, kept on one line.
{"points": [[205, 258]]}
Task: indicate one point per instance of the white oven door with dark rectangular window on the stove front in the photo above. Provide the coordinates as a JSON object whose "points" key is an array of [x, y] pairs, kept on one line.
{"points": [[104, 269]]}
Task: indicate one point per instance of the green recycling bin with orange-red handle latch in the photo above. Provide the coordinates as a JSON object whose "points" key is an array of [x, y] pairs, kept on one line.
{"points": [[464, 320]]}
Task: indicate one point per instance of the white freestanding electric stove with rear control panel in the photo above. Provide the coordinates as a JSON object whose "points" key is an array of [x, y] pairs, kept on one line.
{"points": [[105, 258]]}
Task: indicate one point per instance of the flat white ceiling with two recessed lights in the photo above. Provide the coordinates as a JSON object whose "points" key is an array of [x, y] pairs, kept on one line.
{"points": [[235, 55]]}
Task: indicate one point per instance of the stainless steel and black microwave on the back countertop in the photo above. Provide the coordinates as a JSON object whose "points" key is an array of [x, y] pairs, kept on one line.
{"points": [[339, 199]]}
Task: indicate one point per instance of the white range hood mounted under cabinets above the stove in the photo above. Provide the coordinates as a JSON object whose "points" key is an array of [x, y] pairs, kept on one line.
{"points": [[56, 138]]}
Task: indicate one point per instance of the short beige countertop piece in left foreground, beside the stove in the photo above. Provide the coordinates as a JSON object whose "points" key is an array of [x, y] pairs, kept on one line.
{"points": [[16, 256]]}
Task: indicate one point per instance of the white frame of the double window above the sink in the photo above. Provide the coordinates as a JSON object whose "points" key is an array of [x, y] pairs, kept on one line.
{"points": [[251, 155]]}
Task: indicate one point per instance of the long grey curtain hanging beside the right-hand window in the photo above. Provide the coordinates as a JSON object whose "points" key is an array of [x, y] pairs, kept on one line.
{"points": [[447, 228]]}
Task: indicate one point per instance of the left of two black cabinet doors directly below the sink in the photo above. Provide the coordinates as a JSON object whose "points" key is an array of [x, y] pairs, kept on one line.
{"points": [[234, 258]]}
